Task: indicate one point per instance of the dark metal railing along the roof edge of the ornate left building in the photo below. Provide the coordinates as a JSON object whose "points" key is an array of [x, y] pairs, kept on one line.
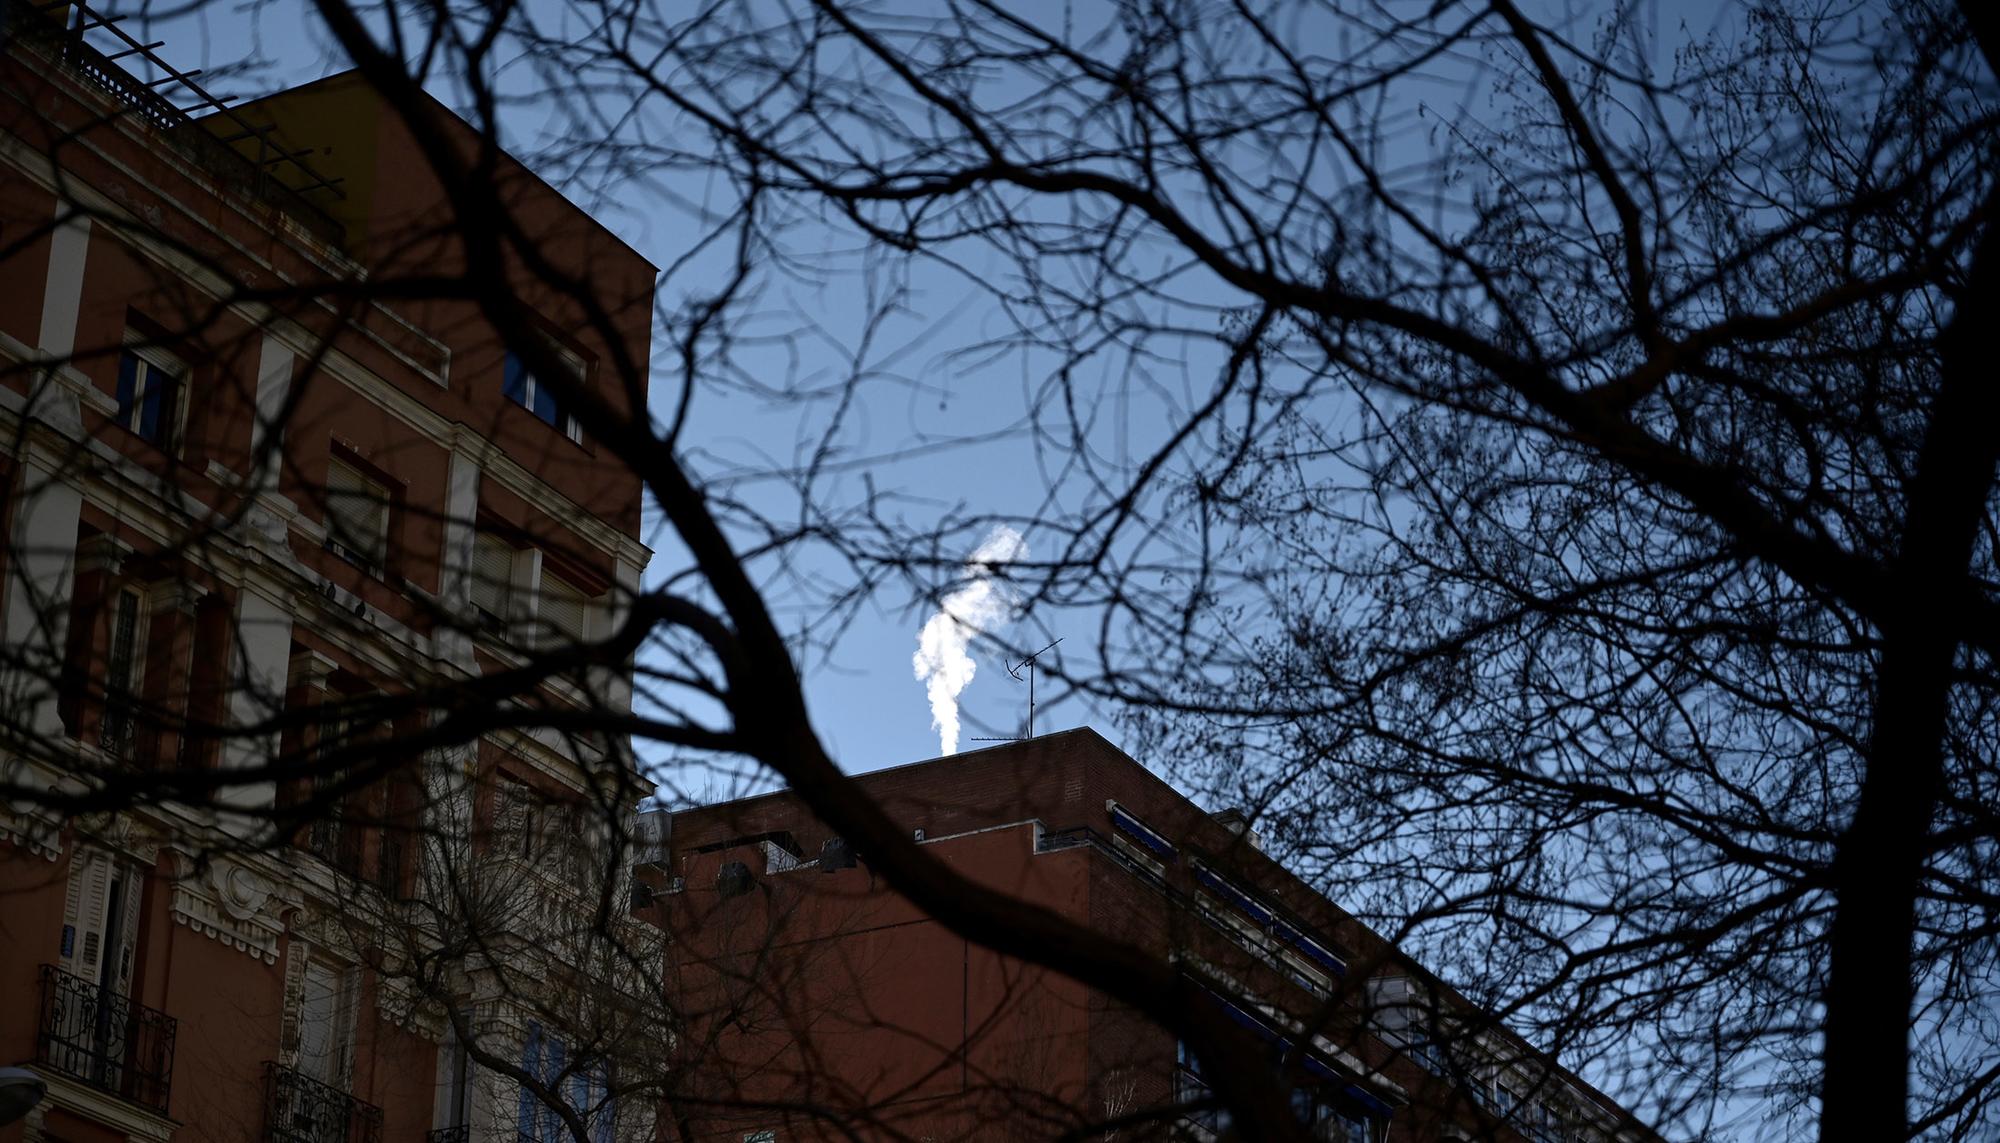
{"points": [[259, 177]]}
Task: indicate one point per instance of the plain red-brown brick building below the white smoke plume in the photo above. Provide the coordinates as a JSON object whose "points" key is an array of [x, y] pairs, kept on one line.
{"points": [[821, 1002]]}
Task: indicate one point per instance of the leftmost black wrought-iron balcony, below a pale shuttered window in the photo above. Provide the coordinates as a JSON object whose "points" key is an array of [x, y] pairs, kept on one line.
{"points": [[105, 1040]]}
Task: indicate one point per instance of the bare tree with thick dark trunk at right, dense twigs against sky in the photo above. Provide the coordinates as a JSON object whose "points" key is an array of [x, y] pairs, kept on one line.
{"points": [[1565, 505]]}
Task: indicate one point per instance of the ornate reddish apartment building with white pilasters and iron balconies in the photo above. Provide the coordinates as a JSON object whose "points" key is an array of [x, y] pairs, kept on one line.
{"points": [[255, 499]]}
